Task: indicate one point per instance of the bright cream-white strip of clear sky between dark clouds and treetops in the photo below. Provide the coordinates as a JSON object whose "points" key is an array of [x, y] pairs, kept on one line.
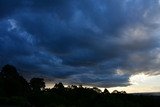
{"points": [[139, 83]]}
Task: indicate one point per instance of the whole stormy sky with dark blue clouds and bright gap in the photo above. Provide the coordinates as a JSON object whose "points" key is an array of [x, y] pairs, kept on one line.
{"points": [[110, 44]]}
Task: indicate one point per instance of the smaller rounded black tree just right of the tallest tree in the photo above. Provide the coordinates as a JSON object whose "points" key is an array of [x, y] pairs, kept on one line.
{"points": [[37, 84]]}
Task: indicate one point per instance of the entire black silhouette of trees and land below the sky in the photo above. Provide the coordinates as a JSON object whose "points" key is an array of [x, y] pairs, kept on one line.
{"points": [[16, 91]]}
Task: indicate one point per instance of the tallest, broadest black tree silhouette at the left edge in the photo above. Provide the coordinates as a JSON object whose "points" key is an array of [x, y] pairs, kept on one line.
{"points": [[12, 83]]}
